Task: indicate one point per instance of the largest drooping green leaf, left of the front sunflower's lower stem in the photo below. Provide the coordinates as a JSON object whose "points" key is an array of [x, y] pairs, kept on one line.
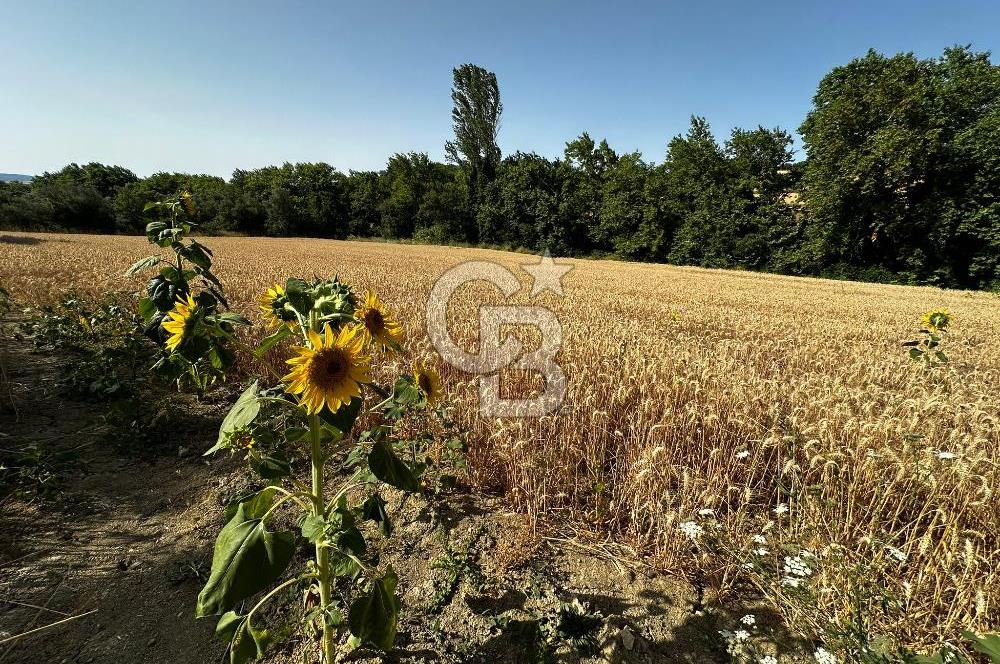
{"points": [[246, 560]]}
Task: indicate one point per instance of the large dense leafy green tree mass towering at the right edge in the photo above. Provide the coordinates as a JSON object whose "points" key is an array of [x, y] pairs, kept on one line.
{"points": [[897, 163]]}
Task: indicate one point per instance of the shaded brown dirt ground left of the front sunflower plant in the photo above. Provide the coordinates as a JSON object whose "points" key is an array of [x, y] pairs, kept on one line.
{"points": [[122, 542]]}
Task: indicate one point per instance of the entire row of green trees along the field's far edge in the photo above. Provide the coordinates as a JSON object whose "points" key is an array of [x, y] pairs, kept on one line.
{"points": [[900, 183]]}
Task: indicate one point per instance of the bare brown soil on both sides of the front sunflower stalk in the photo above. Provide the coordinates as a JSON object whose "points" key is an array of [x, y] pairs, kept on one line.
{"points": [[127, 542]]}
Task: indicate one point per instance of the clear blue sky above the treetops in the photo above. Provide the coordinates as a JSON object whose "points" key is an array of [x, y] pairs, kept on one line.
{"points": [[210, 86]]}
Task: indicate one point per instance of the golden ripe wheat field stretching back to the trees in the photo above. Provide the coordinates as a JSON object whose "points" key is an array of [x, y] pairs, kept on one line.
{"points": [[673, 371]]}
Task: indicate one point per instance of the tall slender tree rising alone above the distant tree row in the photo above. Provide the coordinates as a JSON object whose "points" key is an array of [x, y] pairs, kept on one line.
{"points": [[476, 120]]}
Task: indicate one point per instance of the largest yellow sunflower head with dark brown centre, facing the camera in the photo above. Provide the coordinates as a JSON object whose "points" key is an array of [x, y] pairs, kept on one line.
{"points": [[330, 370]]}
